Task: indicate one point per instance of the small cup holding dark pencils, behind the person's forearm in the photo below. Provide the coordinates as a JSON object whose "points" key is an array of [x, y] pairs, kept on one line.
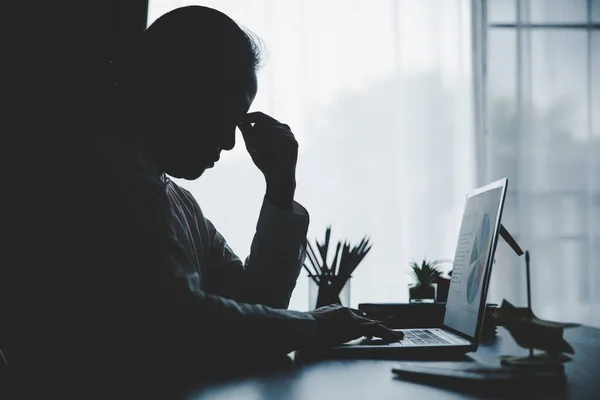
{"points": [[324, 290]]}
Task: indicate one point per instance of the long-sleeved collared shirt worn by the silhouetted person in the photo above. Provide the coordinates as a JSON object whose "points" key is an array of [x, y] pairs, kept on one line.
{"points": [[168, 268]]}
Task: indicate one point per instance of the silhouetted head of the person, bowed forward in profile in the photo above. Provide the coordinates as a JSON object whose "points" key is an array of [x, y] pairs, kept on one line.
{"points": [[190, 80]]}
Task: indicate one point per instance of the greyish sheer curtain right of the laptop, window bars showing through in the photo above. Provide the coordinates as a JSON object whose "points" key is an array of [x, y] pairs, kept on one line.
{"points": [[543, 132]]}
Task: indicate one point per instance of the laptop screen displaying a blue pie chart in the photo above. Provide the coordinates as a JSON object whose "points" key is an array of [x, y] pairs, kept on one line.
{"points": [[474, 254]]}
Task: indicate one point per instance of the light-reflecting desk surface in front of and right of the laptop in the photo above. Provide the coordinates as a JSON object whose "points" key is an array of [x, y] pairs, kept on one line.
{"points": [[373, 380]]}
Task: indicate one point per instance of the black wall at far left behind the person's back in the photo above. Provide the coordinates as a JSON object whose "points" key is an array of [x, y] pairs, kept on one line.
{"points": [[58, 58]]}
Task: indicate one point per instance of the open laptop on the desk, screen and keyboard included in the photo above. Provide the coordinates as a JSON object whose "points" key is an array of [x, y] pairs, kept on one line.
{"points": [[465, 307]]}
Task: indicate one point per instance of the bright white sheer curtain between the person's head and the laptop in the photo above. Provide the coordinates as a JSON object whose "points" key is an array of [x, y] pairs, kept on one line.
{"points": [[379, 96]]}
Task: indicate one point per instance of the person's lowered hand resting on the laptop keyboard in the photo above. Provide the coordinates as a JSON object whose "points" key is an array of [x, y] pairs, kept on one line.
{"points": [[337, 325]]}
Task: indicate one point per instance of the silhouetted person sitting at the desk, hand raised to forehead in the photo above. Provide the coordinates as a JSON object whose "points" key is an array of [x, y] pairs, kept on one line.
{"points": [[161, 285]]}
